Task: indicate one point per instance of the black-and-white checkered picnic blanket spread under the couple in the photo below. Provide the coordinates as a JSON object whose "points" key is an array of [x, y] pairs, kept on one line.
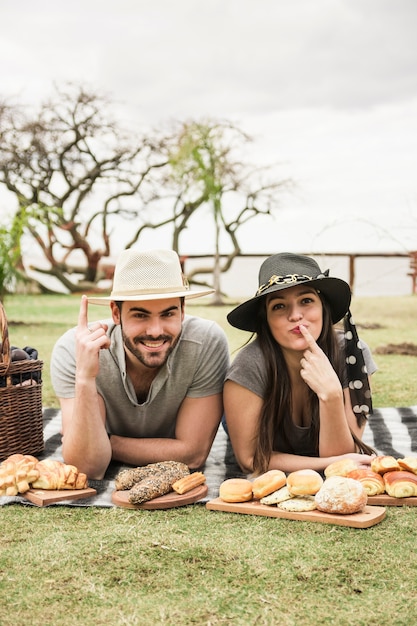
{"points": [[389, 430]]}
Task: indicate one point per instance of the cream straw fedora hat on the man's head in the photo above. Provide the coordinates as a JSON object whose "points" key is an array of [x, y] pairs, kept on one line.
{"points": [[150, 275]]}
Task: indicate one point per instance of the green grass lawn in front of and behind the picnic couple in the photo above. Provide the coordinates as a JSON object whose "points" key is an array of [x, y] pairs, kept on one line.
{"points": [[70, 566]]}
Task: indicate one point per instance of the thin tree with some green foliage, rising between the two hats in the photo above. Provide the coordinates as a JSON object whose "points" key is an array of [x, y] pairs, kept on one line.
{"points": [[206, 164]]}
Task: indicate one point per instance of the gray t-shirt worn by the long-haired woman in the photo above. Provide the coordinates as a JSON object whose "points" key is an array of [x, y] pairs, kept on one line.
{"points": [[249, 370]]}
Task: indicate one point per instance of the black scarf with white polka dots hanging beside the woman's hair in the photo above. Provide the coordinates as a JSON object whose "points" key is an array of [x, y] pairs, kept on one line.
{"points": [[360, 392]]}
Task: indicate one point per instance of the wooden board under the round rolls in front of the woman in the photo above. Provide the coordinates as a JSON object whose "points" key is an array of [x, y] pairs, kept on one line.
{"points": [[369, 516]]}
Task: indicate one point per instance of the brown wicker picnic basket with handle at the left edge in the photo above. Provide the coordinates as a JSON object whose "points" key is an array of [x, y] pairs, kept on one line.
{"points": [[21, 422]]}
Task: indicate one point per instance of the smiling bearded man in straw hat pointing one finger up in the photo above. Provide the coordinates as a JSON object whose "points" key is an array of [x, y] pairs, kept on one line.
{"points": [[146, 385]]}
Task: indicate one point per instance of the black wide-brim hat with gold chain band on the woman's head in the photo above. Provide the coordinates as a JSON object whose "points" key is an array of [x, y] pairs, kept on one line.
{"points": [[285, 270]]}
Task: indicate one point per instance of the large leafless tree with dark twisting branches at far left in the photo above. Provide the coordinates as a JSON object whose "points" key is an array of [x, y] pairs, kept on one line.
{"points": [[74, 173]]}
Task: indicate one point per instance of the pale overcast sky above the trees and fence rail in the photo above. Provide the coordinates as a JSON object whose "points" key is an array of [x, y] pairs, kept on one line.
{"points": [[327, 89]]}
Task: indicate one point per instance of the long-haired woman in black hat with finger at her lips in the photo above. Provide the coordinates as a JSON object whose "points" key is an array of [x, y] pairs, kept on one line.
{"points": [[297, 397]]}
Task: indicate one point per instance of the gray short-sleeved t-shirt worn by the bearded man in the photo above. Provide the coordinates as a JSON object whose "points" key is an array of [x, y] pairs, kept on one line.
{"points": [[196, 368]]}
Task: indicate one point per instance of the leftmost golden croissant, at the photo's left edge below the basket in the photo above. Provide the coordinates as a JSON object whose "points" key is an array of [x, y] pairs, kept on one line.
{"points": [[16, 474]]}
